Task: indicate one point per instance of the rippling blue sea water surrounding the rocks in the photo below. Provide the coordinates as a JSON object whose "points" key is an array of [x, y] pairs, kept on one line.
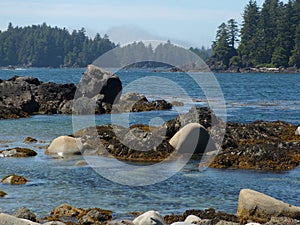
{"points": [[248, 97]]}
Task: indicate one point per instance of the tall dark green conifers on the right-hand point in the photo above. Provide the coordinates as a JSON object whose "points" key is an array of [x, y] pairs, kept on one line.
{"points": [[268, 37]]}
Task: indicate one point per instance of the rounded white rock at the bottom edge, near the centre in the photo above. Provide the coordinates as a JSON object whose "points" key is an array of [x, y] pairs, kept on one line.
{"points": [[149, 218]]}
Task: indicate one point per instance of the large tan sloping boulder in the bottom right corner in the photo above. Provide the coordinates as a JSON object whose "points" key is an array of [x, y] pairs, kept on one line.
{"points": [[254, 206]]}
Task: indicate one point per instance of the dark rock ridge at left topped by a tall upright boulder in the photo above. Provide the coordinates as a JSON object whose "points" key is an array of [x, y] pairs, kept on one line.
{"points": [[97, 93]]}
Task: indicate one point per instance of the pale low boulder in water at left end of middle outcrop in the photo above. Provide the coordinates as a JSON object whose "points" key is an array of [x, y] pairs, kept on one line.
{"points": [[64, 145]]}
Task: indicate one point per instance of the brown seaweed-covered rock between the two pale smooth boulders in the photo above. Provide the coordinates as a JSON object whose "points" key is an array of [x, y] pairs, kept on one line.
{"points": [[136, 143]]}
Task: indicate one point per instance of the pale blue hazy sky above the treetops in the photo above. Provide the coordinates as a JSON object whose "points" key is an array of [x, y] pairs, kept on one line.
{"points": [[188, 22]]}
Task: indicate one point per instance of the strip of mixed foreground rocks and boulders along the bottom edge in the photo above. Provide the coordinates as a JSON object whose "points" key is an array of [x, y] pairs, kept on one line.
{"points": [[252, 207]]}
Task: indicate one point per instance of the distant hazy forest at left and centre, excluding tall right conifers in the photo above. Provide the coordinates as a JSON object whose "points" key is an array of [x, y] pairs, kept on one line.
{"points": [[45, 46]]}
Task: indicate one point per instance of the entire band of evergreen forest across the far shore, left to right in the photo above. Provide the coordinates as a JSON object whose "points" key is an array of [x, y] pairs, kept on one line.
{"points": [[268, 40]]}
